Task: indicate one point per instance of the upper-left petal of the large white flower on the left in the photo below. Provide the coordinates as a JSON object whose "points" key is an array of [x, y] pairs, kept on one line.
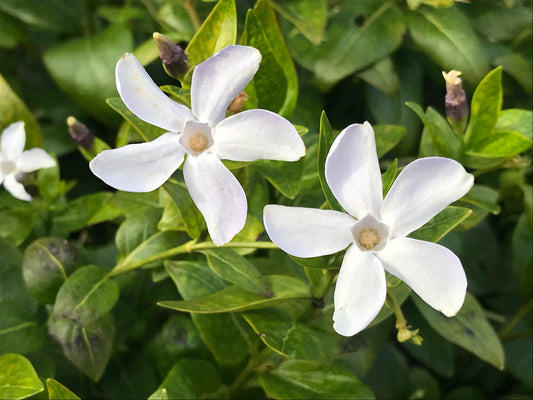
{"points": [[144, 99]]}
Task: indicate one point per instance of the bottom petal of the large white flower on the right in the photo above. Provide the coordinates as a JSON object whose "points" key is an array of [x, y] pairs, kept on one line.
{"points": [[360, 291]]}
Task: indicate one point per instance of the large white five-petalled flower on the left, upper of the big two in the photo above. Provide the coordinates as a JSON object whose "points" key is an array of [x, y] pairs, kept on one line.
{"points": [[202, 133]]}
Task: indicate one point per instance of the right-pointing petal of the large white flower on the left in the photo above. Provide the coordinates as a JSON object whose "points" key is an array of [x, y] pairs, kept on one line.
{"points": [[258, 134]]}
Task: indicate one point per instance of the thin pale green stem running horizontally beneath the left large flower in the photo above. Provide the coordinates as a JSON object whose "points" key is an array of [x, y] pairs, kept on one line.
{"points": [[125, 265]]}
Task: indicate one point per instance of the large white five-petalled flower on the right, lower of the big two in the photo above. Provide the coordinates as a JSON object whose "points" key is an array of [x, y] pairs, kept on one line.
{"points": [[375, 229]]}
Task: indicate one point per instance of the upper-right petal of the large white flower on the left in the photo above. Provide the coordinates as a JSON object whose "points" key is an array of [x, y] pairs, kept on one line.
{"points": [[219, 79]]}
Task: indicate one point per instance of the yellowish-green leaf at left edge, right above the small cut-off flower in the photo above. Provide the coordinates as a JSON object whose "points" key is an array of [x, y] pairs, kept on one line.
{"points": [[13, 109]]}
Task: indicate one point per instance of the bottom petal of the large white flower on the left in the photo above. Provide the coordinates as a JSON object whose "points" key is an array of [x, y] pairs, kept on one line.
{"points": [[217, 194]]}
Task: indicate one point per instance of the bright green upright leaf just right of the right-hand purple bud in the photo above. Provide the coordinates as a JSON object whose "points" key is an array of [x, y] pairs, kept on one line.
{"points": [[484, 109]]}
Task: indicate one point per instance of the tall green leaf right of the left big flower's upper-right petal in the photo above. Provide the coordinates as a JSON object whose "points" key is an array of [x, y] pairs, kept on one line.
{"points": [[275, 84]]}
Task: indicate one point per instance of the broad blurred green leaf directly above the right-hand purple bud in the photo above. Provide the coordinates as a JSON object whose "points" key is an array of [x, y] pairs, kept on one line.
{"points": [[445, 34]]}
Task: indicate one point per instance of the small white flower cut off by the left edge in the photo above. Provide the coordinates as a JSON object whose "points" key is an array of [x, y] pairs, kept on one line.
{"points": [[14, 162]]}
